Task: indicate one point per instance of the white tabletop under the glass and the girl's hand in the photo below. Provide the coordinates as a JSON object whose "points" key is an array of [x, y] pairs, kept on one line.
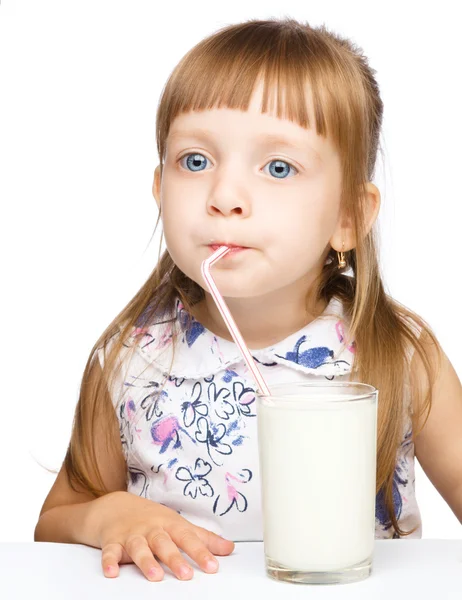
{"points": [[402, 569]]}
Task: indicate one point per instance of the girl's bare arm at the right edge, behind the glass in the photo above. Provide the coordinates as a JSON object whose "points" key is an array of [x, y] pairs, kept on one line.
{"points": [[438, 447]]}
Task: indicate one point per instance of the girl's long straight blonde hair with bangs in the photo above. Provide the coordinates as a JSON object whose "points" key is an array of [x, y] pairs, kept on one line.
{"points": [[222, 70]]}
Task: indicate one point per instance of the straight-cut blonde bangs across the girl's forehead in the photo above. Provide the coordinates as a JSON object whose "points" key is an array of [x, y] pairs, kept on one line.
{"points": [[223, 71]]}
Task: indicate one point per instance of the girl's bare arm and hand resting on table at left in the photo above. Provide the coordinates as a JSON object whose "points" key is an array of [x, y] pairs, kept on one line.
{"points": [[126, 527]]}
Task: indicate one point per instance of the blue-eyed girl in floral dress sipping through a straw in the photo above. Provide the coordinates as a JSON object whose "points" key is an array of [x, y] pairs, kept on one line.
{"points": [[267, 134]]}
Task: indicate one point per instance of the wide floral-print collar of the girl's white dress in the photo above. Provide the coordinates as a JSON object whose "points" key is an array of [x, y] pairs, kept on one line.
{"points": [[318, 348]]}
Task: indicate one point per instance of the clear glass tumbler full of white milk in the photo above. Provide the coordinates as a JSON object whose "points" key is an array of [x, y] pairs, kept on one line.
{"points": [[317, 447]]}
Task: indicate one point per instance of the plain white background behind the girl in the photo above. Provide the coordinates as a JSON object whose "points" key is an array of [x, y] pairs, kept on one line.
{"points": [[80, 82]]}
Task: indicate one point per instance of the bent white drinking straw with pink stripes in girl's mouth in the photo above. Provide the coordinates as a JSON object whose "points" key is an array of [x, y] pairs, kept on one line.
{"points": [[230, 323]]}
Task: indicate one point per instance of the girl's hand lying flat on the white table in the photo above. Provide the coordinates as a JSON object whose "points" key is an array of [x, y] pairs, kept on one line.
{"points": [[129, 528]]}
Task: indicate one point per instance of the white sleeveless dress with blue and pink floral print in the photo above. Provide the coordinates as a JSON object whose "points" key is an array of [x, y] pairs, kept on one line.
{"points": [[191, 444]]}
